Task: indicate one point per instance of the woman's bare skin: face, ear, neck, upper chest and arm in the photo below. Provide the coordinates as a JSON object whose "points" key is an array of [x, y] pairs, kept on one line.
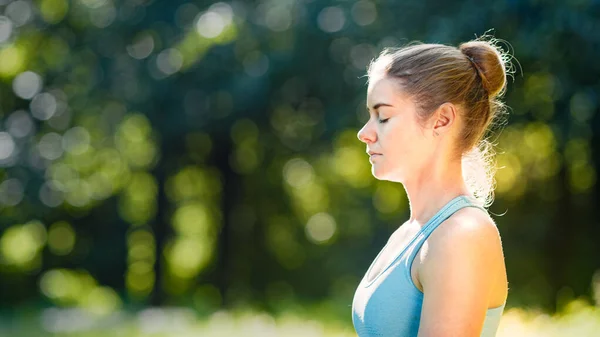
{"points": [[460, 267]]}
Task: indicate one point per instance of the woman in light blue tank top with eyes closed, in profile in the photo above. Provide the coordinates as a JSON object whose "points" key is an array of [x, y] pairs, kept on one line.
{"points": [[442, 272]]}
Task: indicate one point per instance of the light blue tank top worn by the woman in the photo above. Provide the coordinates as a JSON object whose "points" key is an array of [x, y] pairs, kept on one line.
{"points": [[390, 304]]}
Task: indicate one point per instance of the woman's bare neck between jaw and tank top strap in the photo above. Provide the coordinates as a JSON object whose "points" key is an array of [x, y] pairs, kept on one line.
{"points": [[434, 187]]}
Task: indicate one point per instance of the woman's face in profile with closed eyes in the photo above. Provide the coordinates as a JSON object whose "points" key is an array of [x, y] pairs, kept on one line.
{"points": [[401, 144]]}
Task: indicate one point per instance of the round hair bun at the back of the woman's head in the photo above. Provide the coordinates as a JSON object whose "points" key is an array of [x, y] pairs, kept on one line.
{"points": [[490, 65]]}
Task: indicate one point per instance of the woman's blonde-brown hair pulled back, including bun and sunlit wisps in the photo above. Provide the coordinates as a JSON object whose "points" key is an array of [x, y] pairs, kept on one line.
{"points": [[472, 76]]}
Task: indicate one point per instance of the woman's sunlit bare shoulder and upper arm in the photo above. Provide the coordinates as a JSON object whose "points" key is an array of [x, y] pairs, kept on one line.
{"points": [[460, 274]]}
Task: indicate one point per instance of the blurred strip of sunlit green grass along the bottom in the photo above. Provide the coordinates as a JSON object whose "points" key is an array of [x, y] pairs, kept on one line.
{"points": [[578, 319]]}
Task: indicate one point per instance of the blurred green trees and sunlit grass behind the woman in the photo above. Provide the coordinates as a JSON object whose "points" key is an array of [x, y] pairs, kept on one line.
{"points": [[192, 167]]}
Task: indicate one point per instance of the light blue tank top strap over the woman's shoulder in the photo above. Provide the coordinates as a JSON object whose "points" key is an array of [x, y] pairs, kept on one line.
{"points": [[444, 213]]}
